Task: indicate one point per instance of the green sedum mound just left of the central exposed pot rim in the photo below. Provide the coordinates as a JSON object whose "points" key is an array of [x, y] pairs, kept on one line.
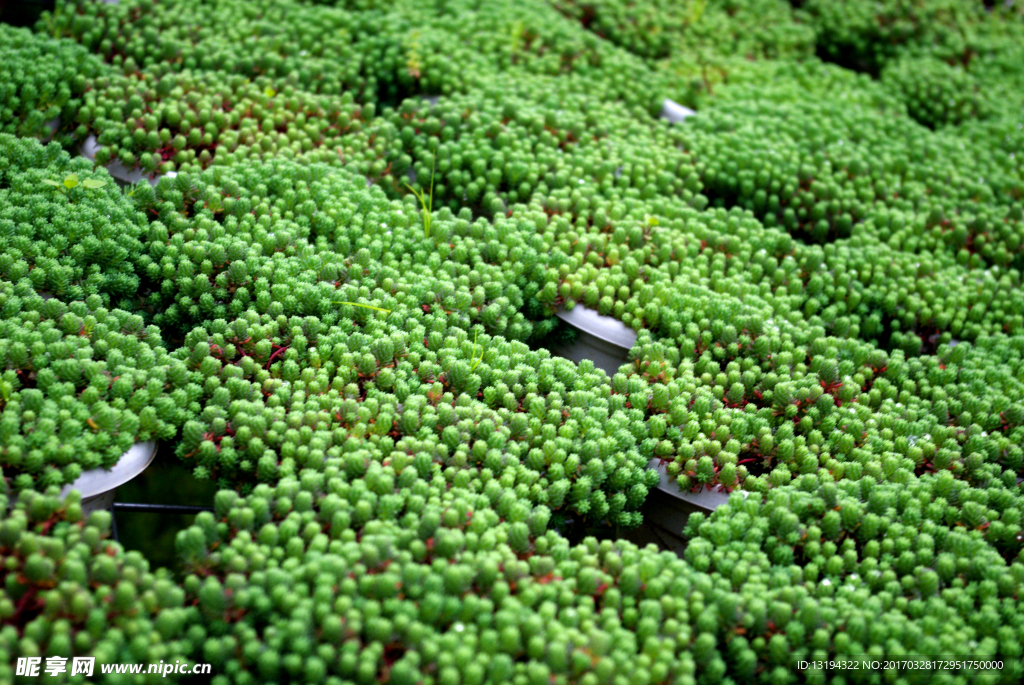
{"points": [[286, 239]]}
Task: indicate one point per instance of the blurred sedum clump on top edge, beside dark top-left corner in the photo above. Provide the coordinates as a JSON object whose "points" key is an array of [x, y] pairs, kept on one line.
{"points": [[313, 50]]}
